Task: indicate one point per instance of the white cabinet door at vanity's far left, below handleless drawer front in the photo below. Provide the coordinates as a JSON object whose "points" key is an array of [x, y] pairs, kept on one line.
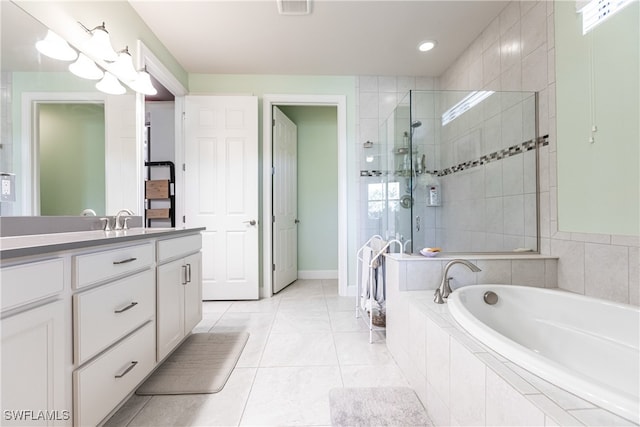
{"points": [[33, 367]]}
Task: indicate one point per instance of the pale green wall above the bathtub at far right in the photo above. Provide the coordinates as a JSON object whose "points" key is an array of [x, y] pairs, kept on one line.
{"points": [[597, 83]]}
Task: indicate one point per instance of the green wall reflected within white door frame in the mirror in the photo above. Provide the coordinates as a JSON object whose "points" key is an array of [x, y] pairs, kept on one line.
{"points": [[72, 158]]}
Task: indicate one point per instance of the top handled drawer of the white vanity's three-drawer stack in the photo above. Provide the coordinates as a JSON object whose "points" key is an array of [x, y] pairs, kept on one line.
{"points": [[99, 266]]}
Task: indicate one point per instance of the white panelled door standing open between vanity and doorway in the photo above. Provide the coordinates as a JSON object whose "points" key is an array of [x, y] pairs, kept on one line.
{"points": [[221, 191]]}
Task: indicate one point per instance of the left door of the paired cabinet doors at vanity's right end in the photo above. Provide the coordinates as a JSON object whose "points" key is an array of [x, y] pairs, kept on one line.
{"points": [[170, 317]]}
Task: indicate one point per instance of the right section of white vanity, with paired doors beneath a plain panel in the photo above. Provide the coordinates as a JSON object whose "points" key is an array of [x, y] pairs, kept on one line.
{"points": [[179, 290]]}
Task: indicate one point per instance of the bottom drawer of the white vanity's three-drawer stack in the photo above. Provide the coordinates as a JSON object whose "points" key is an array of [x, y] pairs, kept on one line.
{"points": [[102, 384]]}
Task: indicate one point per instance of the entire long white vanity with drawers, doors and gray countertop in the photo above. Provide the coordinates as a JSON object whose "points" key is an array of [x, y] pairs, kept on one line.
{"points": [[86, 317]]}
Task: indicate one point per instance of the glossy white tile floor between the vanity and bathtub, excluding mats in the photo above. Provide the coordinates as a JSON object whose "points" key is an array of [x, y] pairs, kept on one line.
{"points": [[303, 342]]}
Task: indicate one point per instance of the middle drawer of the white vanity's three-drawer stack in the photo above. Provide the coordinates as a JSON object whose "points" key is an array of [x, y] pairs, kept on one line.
{"points": [[107, 313]]}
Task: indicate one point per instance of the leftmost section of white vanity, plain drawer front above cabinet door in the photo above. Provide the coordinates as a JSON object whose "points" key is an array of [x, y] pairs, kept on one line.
{"points": [[34, 344]]}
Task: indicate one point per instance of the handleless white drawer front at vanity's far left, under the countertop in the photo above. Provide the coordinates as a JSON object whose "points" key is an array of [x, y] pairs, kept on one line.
{"points": [[25, 283]]}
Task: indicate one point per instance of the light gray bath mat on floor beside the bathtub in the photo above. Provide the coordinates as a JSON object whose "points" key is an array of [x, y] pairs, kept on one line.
{"points": [[380, 406]]}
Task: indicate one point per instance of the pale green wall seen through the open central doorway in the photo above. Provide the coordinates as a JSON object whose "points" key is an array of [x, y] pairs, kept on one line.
{"points": [[317, 186]]}
